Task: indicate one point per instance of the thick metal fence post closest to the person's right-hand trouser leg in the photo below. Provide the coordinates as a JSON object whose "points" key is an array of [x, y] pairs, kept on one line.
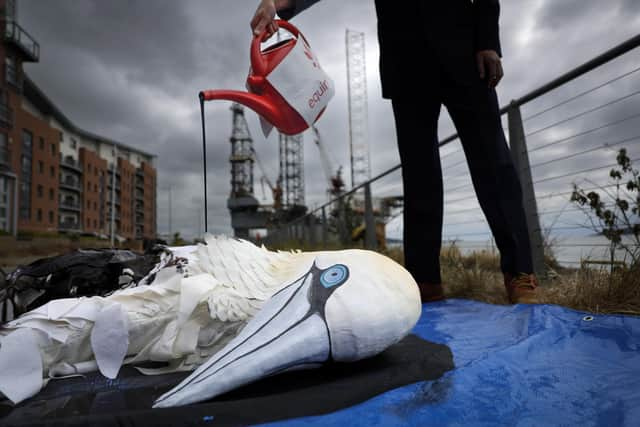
{"points": [[520, 157]]}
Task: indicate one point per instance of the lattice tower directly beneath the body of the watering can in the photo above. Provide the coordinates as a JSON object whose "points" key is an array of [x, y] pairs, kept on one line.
{"points": [[291, 176]]}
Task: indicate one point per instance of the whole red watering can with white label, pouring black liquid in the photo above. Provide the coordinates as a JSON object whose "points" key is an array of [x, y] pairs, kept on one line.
{"points": [[287, 87]]}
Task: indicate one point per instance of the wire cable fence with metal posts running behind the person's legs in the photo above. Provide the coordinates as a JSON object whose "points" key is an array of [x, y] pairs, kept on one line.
{"points": [[566, 136]]}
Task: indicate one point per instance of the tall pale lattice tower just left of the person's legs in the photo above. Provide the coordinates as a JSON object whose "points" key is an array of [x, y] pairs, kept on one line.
{"points": [[358, 119]]}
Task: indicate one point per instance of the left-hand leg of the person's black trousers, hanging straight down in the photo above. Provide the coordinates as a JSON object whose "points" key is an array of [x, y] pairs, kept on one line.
{"points": [[417, 131]]}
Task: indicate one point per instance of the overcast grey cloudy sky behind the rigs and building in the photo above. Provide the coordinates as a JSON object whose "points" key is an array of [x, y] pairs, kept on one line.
{"points": [[131, 70]]}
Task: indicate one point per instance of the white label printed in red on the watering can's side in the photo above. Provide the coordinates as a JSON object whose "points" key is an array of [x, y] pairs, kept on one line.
{"points": [[301, 81]]}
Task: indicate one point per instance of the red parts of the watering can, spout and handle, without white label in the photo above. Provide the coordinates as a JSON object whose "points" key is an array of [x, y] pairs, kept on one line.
{"points": [[262, 97]]}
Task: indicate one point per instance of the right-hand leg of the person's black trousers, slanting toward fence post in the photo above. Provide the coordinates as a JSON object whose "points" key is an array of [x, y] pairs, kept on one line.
{"points": [[475, 113]]}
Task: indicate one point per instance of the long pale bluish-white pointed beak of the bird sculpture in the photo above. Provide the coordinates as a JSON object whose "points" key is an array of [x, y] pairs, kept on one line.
{"points": [[288, 333]]}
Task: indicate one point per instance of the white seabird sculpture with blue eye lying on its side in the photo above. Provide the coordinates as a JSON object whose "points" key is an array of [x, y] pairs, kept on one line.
{"points": [[237, 311]]}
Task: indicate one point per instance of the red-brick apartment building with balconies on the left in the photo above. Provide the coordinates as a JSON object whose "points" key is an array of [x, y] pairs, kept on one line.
{"points": [[55, 176]]}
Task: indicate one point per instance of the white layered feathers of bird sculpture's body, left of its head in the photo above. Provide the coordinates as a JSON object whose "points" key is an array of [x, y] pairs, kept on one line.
{"points": [[187, 313]]}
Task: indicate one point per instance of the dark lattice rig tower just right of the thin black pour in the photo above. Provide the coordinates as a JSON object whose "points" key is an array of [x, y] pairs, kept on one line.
{"points": [[242, 204]]}
